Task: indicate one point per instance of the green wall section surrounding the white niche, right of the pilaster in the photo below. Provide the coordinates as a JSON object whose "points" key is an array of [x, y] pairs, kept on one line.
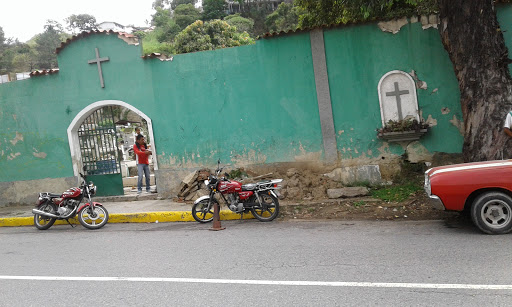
{"points": [[358, 56]]}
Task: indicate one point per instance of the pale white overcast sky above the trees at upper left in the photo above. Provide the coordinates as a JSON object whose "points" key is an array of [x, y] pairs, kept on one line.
{"points": [[22, 19]]}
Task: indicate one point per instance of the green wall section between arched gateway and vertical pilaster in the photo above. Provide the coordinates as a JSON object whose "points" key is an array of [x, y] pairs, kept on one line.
{"points": [[252, 104]]}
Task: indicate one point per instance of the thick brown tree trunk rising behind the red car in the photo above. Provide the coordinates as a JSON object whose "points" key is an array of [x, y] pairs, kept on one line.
{"points": [[471, 34]]}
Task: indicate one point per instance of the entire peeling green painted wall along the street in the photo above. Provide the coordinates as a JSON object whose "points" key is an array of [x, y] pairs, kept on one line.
{"points": [[245, 105]]}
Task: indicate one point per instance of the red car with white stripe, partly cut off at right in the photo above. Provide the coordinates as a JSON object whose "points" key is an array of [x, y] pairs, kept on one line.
{"points": [[483, 189]]}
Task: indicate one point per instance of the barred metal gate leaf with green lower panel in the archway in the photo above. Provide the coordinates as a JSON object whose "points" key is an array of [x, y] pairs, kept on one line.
{"points": [[100, 153]]}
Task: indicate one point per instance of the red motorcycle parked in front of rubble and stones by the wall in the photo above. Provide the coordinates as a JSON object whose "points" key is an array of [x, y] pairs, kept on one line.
{"points": [[259, 198]]}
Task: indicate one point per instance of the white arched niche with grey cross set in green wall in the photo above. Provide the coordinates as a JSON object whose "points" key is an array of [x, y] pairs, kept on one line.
{"points": [[397, 97]]}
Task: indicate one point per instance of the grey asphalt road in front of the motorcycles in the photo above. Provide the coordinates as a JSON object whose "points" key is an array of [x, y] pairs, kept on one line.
{"points": [[315, 263]]}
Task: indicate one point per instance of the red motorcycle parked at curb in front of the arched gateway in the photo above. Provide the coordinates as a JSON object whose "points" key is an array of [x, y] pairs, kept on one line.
{"points": [[52, 207]]}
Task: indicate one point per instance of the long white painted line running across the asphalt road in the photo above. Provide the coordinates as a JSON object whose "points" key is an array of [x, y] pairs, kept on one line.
{"points": [[266, 282]]}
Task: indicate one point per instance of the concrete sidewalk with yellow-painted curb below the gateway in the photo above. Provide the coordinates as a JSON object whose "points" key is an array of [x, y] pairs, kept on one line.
{"points": [[130, 208]]}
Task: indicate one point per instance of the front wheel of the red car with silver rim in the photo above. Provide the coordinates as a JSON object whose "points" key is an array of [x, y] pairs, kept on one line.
{"points": [[492, 213]]}
